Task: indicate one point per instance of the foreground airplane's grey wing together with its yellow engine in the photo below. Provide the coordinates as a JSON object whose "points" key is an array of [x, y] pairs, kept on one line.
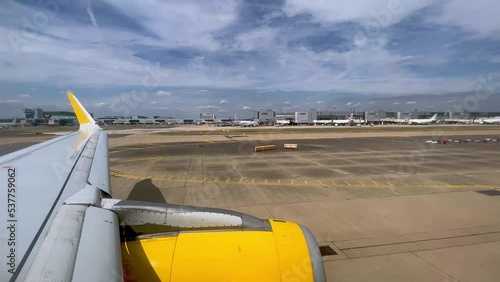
{"points": [[61, 224]]}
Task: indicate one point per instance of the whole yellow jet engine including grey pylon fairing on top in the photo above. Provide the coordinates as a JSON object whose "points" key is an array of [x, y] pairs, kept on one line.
{"points": [[162, 242]]}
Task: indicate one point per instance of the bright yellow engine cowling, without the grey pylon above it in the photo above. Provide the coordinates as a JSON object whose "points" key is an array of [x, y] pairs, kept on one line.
{"points": [[287, 253]]}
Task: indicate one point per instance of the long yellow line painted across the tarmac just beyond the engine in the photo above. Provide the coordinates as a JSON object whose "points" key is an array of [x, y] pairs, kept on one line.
{"points": [[305, 183]]}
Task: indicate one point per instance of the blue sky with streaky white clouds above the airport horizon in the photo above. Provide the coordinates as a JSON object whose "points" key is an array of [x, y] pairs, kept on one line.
{"points": [[181, 58]]}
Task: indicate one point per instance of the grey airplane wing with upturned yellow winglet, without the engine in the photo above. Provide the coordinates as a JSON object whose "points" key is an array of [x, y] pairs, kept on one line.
{"points": [[50, 209]]}
